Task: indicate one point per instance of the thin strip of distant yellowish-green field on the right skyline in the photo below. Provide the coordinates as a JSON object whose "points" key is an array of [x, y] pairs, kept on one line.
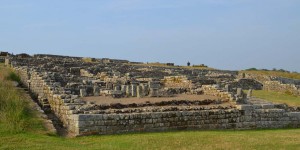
{"points": [[275, 73]]}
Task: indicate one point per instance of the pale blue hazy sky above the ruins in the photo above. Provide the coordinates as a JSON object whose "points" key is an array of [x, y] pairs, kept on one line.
{"points": [[223, 34]]}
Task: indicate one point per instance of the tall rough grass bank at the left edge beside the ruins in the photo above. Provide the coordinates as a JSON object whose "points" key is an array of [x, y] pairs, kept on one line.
{"points": [[15, 112]]}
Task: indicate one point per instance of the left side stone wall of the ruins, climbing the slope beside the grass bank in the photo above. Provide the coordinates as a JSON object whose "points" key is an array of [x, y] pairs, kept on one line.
{"points": [[50, 96]]}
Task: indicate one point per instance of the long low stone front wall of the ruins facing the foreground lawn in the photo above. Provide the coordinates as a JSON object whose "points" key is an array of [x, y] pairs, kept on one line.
{"points": [[243, 117]]}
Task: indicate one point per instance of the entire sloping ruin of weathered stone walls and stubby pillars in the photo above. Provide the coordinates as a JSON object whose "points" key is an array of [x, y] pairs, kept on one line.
{"points": [[61, 83]]}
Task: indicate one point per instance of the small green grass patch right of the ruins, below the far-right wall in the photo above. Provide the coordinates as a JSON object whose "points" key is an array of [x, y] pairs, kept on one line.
{"points": [[277, 97]]}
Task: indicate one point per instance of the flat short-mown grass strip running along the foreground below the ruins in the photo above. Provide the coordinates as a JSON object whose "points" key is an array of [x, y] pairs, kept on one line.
{"points": [[259, 139]]}
